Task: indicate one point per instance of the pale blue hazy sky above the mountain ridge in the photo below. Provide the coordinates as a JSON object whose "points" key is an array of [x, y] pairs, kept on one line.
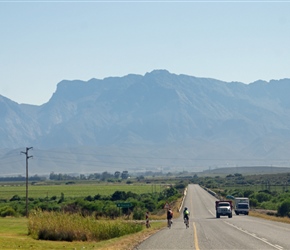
{"points": [[44, 42]]}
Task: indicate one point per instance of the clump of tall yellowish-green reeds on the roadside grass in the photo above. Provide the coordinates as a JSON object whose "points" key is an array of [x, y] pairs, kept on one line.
{"points": [[74, 227]]}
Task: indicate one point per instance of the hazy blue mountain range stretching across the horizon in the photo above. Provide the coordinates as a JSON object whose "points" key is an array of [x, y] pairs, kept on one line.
{"points": [[158, 121]]}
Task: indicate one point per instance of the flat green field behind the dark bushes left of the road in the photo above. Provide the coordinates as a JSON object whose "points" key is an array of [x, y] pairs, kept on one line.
{"points": [[74, 190]]}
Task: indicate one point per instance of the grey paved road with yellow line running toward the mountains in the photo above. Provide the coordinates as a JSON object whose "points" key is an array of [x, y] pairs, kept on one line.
{"points": [[208, 232]]}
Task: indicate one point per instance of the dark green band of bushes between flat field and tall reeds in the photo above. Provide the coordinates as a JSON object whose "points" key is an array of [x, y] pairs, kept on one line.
{"points": [[97, 205]]}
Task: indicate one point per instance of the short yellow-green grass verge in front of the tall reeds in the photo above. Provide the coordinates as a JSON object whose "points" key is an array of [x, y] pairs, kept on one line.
{"points": [[14, 235]]}
